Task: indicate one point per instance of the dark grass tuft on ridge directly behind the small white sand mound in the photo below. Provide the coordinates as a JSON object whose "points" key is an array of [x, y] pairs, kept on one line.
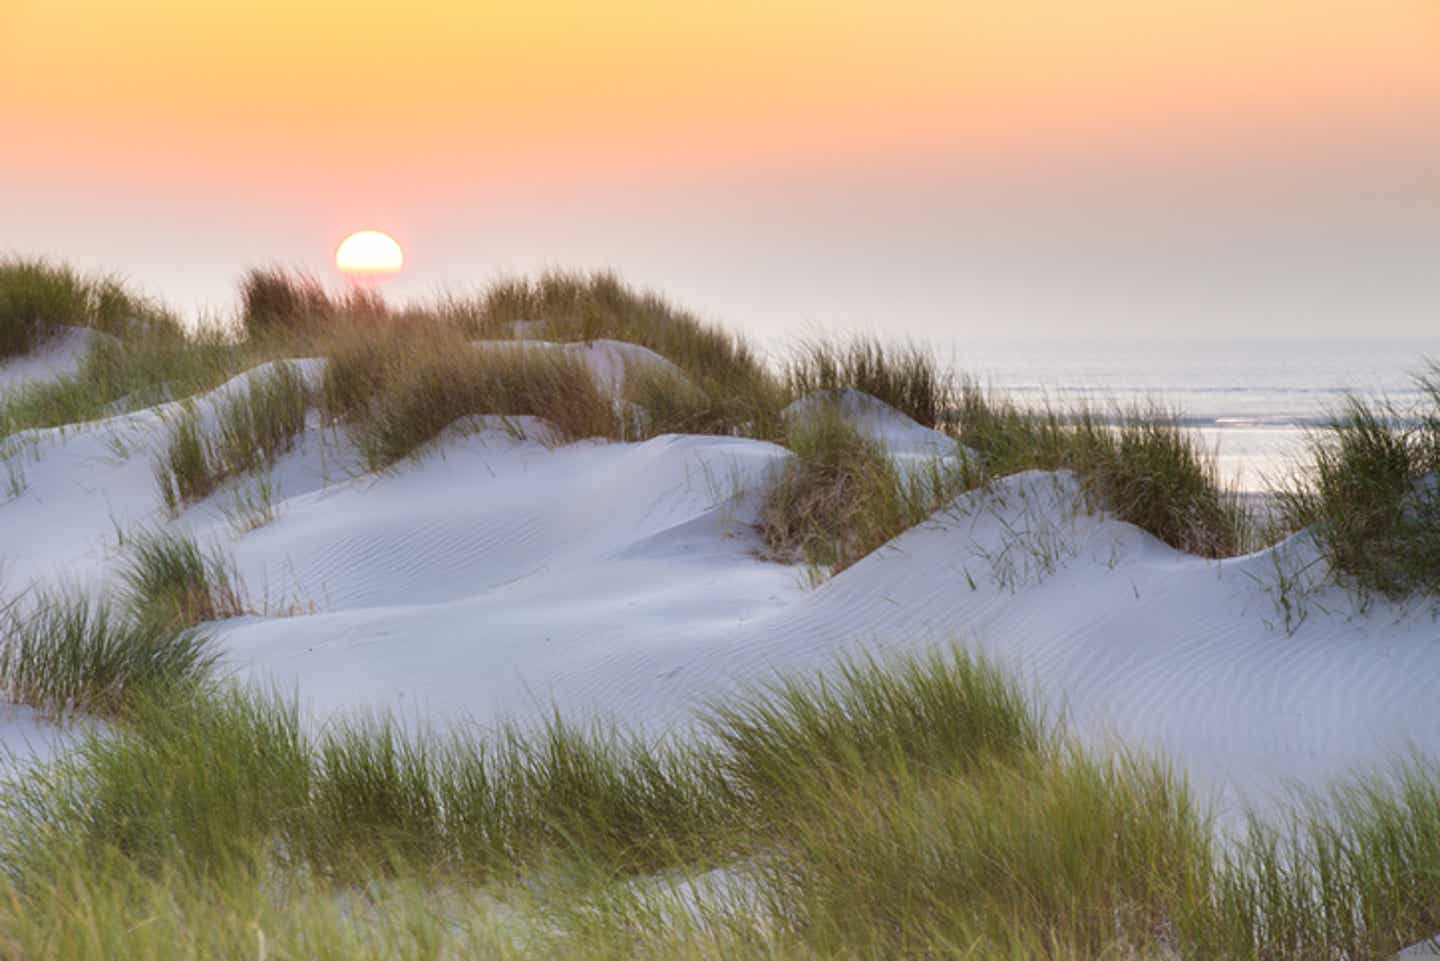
{"points": [[906, 377]]}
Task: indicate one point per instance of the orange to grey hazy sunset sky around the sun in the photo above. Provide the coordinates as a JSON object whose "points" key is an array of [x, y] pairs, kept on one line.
{"points": [[1110, 169]]}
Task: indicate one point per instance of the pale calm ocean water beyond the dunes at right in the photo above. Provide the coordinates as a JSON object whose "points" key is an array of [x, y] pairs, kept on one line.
{"points": [[1252, 400]]}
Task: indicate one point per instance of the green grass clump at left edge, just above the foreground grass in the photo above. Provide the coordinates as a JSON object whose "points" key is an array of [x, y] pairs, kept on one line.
{"points": [[77, 655]]}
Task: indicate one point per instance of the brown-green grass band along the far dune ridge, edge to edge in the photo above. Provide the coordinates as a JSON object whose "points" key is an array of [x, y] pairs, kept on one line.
{"points": [[397, 377]]}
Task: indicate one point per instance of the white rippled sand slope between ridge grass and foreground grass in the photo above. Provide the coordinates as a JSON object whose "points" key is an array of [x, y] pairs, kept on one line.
{"points": [[499, 577]]}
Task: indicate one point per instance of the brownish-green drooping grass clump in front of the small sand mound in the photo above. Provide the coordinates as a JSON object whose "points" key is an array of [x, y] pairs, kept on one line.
{"points": [[840, 496]]}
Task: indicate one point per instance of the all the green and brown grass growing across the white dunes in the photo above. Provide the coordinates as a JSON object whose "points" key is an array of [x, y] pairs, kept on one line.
{"points": [[917, 808]]}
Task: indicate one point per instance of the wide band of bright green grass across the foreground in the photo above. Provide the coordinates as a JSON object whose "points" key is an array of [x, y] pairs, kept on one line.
{"points": [[904, 809]]}
